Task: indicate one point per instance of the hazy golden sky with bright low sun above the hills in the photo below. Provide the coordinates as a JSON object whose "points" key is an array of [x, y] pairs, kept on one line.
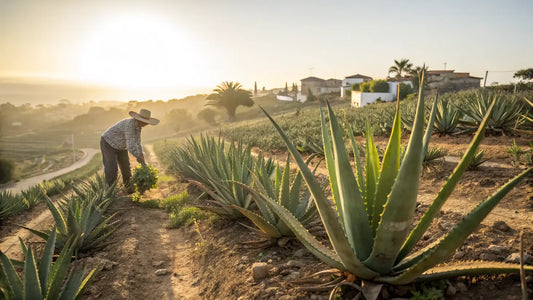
{"points": [[165, 44]]}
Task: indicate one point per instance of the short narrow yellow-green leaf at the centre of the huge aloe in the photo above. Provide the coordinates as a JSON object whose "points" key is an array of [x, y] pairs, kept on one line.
{"points": [[372, 172]]}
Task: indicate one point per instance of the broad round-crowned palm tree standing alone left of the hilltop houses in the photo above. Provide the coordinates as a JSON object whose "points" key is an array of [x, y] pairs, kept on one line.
{"points": [[230, 95]]}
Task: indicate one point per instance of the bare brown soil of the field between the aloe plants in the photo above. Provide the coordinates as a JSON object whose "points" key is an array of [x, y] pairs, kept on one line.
{"points": [[213, 257]]}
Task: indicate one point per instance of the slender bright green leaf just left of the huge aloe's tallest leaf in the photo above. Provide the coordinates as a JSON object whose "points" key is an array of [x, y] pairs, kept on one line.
{"points": [[389, 169]]}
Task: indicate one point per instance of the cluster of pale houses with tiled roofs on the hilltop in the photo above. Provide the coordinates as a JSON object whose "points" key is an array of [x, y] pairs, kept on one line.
{"points": [[348, 88]]}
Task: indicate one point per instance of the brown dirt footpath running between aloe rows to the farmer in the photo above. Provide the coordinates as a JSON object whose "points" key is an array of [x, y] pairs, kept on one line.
{"points": [[142, 248]]}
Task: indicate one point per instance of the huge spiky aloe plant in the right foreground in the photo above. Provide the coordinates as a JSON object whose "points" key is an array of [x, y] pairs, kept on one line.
{"points": [[369, 226]]}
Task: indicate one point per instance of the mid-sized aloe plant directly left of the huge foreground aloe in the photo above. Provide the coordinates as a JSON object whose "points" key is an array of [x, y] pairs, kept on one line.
{"points": [[280, 190]]}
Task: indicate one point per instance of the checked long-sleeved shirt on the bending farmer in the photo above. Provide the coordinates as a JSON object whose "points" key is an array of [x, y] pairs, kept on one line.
{"points": [[125, 135]]}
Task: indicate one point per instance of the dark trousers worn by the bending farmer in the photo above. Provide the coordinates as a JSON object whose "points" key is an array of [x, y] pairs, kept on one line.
{"points": [[111, 157]]}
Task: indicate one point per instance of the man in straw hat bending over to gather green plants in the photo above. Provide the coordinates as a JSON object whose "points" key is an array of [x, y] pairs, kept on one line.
{"points": [[120, 138]]}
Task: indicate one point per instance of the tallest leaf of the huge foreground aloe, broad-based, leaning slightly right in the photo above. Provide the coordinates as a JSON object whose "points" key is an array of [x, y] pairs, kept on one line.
{"points": [[399, 209]]}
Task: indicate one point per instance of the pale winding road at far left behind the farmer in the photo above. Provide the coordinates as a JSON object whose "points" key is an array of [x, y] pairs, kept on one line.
{"points": [[16, 187]]}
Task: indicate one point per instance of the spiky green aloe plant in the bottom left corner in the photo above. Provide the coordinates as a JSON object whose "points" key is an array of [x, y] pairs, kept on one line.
{"points": [[50, 280]]}
